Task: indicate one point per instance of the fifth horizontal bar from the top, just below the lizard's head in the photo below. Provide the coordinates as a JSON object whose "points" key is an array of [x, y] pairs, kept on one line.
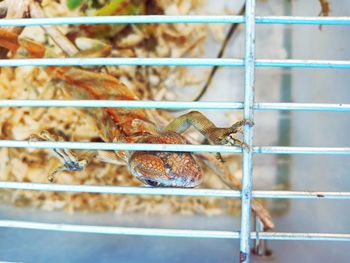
{"points": [[173, 191]]}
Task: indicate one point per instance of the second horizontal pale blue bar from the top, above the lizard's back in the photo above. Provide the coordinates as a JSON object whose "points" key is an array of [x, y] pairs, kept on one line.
{"points": [[223, 62]]}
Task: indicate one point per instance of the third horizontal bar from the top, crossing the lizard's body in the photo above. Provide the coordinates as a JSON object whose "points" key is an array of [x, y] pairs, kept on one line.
{"points": [[340, 107]]}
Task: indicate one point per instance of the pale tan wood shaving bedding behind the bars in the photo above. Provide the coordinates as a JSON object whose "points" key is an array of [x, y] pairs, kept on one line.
{"points": [[33, 165]]}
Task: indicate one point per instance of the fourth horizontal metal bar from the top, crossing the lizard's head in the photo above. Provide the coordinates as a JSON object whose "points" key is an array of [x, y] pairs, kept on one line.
{"points": [[172, 147]]}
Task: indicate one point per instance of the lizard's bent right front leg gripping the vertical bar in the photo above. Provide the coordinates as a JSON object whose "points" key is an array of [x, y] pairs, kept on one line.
{"points": [[206, 127]]}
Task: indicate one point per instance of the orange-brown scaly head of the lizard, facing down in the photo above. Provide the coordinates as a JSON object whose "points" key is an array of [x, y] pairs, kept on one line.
{"points": [[165, 169]]}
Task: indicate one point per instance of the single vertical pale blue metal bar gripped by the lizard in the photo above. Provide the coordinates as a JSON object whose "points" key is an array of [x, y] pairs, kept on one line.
{"points": [[248, 131]]}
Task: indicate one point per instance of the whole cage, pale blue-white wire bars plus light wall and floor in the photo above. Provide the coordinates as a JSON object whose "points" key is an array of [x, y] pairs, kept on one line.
{"points": [[304, 177]]}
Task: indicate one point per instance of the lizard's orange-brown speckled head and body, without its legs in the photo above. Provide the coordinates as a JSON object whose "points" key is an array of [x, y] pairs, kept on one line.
{"points": [[162, 169]]}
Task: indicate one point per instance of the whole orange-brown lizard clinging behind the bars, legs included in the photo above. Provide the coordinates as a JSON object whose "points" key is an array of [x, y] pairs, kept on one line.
{"points": [[153, 168]]}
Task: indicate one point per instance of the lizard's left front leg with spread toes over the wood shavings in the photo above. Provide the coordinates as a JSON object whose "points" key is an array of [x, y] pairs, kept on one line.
{"points": [[72, 161]]}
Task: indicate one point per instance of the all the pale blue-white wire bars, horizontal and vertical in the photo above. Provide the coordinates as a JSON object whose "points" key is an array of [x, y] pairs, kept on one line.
{"points": [[249, 63]]}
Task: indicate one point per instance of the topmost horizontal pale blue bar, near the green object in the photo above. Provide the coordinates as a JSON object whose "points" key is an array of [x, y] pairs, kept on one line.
{"points": [[142, 19]]}
